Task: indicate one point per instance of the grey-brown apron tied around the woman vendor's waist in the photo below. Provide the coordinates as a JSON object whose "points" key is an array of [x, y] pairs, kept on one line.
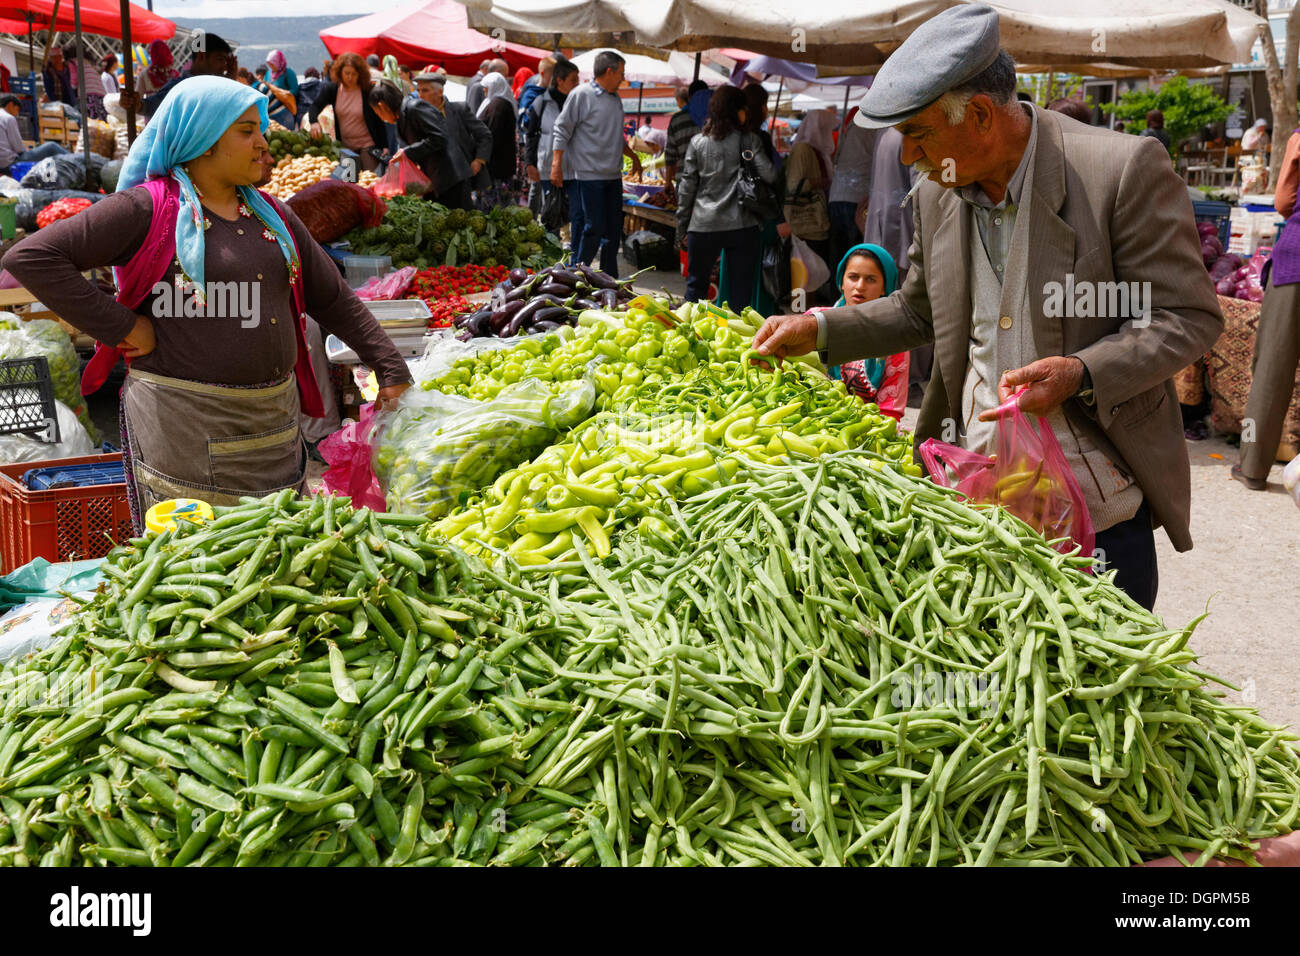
{"points": [[214, 443]]}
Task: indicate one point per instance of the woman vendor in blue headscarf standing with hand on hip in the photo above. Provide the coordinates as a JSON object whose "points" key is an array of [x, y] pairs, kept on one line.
{"points": [[215, 278]]}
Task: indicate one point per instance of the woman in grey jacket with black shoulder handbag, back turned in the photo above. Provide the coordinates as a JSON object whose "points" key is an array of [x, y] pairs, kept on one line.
{"points": [[726, 180]]}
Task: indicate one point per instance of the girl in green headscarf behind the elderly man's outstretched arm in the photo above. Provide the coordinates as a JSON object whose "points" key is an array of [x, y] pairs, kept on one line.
{"points": [[869, 272]]}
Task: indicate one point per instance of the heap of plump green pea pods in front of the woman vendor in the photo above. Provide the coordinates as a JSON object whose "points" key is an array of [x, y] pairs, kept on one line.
{"points": [[288, 685]]}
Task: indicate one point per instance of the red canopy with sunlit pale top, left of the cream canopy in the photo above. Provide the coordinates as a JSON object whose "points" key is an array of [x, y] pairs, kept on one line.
{"points": [[436, 32]]}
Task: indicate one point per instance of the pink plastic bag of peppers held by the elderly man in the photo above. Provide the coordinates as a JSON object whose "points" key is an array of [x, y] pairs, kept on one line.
{"points": [[1029, 477]]}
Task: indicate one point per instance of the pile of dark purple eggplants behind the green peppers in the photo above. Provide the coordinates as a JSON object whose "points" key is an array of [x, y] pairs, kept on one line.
{"points": [[544, 301]]}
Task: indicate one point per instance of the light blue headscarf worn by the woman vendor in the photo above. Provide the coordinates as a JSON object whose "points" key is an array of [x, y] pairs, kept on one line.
{"points": [[190, 122]]}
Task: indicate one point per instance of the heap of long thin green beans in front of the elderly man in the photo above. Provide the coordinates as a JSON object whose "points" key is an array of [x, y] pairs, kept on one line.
{"points": [[735, 686]]}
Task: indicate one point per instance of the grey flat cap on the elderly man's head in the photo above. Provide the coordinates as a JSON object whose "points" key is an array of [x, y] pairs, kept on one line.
{"points": [[941, 55]]}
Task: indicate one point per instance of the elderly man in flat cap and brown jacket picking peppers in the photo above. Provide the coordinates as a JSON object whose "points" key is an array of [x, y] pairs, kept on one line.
{"points": [[1025, 224]]}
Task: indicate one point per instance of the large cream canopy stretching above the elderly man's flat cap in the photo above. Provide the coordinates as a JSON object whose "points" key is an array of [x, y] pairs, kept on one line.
{"points": [[1159, 34]]}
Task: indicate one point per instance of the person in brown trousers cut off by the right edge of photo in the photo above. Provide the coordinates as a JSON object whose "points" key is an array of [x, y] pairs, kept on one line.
{"points": [[1277, 347]]}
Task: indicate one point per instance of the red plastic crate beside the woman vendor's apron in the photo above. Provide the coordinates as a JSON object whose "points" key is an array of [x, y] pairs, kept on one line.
{"points": [[60, 525]]}
